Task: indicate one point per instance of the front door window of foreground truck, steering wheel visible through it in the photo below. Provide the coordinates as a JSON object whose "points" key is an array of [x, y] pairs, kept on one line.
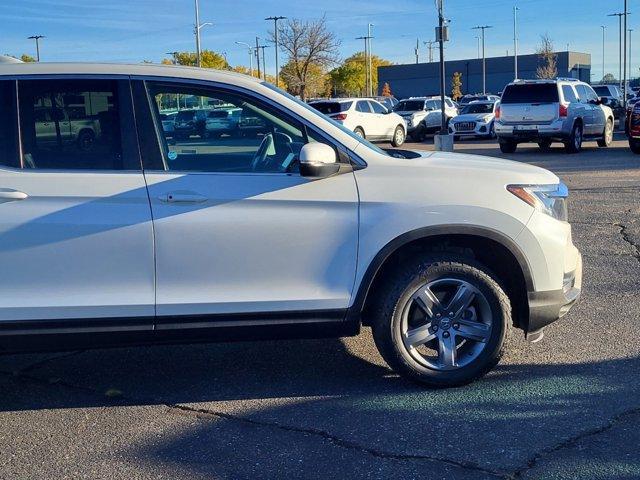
{"points": [[236, 134]]}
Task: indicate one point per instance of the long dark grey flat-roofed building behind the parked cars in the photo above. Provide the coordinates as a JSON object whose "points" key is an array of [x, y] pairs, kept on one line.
{"points": [[413, 80]]}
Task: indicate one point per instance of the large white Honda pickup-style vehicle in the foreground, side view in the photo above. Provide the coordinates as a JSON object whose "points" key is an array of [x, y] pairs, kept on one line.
{"points": [[300, 229]]}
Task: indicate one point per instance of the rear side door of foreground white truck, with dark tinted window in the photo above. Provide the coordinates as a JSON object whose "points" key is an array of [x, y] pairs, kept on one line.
{"points": [[76, 236]]}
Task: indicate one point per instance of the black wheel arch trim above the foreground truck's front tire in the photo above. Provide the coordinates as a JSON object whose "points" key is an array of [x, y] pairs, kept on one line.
{"points": [[479, 243]]}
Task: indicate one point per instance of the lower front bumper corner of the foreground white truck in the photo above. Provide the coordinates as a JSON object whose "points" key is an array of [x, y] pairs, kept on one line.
{"points": [[548, 306]]}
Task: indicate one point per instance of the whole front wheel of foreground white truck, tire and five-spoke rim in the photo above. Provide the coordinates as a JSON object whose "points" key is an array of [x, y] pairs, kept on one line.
{"points": [[443, 321]]}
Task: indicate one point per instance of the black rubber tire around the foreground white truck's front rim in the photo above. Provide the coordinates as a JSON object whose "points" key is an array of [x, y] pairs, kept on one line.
{"points": [[398, 291]]}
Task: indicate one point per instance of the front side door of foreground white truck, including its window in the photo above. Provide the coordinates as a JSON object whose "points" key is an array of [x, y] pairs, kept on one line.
{"points": [[237, 229]]}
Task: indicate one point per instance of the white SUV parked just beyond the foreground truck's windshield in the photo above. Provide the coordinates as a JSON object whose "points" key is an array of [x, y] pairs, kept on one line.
{"points": [[367, 118]]}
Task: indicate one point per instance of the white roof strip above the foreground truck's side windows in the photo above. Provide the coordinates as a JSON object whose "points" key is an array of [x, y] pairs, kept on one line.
{"points": [[144, 69]]}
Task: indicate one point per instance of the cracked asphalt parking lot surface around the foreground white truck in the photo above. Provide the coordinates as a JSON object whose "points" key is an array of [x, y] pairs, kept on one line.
{"points": [[566, 407]]}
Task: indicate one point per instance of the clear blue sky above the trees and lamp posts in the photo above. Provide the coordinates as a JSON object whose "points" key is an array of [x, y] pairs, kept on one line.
{"points": [[136, 30]]}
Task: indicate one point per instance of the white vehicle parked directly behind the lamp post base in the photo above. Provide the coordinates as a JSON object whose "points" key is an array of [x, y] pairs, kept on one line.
{"points": [[423, 114]]}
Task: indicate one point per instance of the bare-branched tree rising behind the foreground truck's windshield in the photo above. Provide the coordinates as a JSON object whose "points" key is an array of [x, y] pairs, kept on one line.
{"points": [[311, 49]]}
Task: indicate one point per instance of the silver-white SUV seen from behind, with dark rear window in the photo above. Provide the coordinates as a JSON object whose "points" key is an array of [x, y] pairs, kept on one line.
{"points": [[555, 110]]}
